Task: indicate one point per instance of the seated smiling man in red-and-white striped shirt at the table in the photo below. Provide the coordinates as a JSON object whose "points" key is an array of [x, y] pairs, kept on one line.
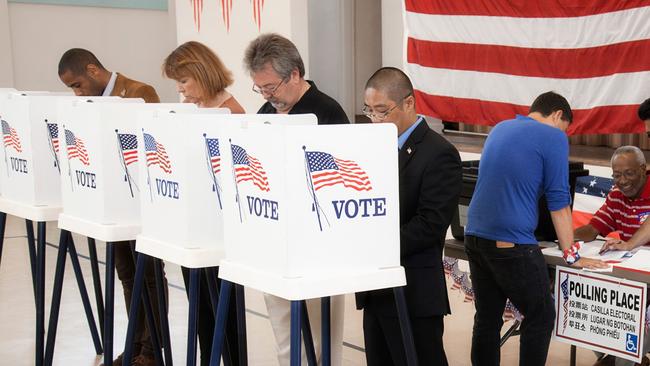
{"points": [[627, 207]]}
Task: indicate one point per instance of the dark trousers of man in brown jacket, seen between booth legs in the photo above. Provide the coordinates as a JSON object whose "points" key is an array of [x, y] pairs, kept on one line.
{"points": [[125, 268]]}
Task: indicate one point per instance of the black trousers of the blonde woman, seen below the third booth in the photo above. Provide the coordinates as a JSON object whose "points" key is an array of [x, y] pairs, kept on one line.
{"points": [[206, 321]]}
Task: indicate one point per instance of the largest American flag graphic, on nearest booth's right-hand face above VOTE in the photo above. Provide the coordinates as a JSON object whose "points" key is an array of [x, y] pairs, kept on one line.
{"points": [[327, 170]]}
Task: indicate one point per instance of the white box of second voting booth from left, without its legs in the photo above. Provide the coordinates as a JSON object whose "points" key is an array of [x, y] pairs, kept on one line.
{"points": [[99, 175]]}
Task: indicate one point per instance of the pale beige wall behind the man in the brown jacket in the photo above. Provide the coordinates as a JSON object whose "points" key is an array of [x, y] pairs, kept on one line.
{"points": [[133, 42]]}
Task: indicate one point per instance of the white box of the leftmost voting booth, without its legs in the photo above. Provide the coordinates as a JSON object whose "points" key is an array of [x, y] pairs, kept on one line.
{"points": [[30, 165]]}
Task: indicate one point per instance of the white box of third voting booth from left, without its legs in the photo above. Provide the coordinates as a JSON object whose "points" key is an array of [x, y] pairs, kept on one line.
{"points": [[182, 194]]}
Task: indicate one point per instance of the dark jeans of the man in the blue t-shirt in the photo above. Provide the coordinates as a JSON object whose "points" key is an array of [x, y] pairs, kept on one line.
{"points": [[519, 274]]}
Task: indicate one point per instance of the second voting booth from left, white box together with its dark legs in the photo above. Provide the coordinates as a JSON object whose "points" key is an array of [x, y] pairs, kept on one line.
{"points": [[100, 194]]}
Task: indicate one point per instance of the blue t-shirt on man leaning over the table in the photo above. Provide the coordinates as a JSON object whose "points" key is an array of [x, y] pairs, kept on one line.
{"points": [[522, 159]]}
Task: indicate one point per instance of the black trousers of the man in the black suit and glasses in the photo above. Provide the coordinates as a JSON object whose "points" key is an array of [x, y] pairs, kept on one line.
{"points": [[384, 346]]}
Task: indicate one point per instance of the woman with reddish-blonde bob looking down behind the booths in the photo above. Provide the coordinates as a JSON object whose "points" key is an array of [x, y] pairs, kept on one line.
{"points": [[201, 77]]}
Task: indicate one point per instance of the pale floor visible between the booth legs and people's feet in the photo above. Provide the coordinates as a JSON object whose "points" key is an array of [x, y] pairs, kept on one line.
{"points": [[74, 345]]}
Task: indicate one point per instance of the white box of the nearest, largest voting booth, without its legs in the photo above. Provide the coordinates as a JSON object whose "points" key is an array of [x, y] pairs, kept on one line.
{"points": [[318, 215]]}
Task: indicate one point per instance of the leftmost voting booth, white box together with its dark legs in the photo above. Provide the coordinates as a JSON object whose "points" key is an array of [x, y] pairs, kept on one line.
{"points": [[30, 179]]}
